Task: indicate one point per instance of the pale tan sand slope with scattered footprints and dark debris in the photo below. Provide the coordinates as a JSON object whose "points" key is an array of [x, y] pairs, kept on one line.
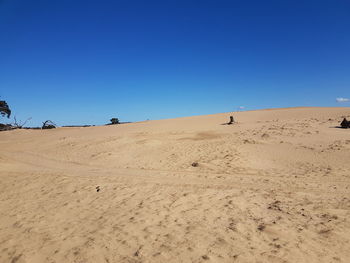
{"points": [[275, 187]]}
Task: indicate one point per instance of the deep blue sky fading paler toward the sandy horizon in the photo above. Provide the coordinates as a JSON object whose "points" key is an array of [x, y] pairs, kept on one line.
{"points": [[81, 62]]}
